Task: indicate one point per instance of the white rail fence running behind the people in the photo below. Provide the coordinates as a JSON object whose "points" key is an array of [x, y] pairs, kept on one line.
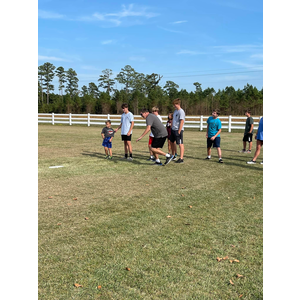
{"points": [[199, 122]]}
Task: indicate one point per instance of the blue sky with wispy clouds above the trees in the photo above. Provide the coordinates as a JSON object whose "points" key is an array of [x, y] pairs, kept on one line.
{"points": [[215, 42]]}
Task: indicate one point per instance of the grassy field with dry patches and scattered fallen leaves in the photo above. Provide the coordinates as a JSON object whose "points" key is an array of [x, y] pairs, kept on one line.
{"points": [[166, 224]]}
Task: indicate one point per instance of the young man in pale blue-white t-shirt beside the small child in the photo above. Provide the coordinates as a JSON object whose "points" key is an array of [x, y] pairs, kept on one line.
{"points": [[127, 123]]}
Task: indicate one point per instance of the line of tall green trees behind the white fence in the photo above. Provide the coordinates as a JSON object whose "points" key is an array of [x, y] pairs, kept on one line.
{"points": [[138, 90]]}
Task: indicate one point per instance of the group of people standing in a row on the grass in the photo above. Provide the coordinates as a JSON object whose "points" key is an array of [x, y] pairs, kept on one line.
{"points": [[173, 131]]}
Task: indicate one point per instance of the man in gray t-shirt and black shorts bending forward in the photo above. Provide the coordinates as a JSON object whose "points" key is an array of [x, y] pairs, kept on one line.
{"points": [[160, 134]]}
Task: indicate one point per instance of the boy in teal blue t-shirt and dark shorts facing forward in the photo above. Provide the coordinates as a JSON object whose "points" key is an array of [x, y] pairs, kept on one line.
{"points": [[213, 131]]}
